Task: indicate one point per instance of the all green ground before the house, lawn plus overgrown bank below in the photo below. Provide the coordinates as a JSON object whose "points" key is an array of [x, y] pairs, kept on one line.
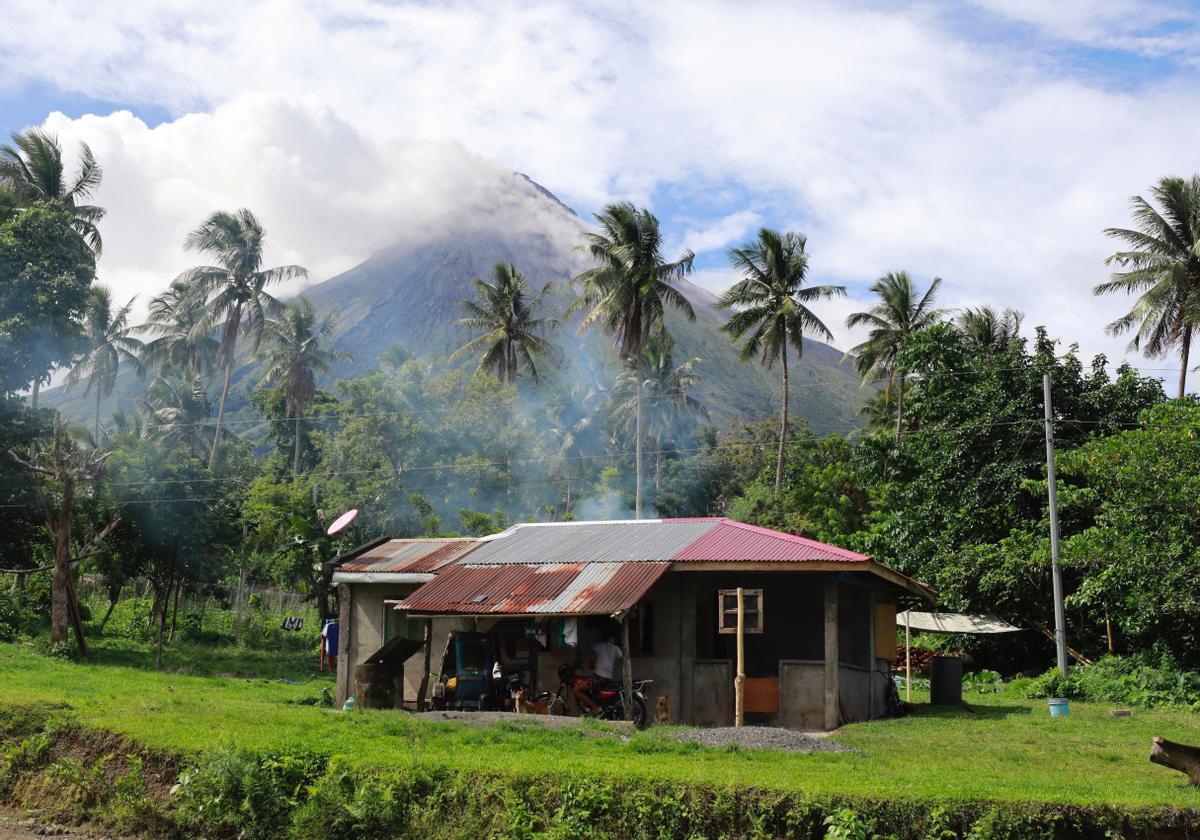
{"points": [[1003, 757]]}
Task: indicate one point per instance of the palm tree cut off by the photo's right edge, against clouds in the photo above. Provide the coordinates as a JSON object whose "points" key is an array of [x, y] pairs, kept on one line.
{"points": [[1162, 265]]}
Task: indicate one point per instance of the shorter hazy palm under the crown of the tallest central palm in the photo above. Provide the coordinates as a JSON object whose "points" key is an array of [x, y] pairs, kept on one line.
{"points": [[665, 388]]}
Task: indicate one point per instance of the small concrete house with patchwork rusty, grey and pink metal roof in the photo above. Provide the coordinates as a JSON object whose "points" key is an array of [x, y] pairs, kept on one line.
{"points": [[820, 628]]}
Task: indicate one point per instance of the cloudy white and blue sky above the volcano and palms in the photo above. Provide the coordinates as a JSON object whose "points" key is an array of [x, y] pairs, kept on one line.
{"points": [[987, 142]]}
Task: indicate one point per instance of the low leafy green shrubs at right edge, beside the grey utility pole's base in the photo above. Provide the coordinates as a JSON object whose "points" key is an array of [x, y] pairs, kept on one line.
{"points": [[1130, 681]]}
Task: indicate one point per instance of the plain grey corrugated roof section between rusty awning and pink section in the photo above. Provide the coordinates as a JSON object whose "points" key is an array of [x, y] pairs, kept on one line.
{"points": [[633, 542]]}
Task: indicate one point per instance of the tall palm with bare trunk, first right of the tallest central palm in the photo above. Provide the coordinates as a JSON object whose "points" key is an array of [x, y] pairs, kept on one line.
{"points": [[771, 307]]}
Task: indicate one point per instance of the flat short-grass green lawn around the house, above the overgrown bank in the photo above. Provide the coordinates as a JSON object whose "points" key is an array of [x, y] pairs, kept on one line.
{"points": [[1003, 749]]}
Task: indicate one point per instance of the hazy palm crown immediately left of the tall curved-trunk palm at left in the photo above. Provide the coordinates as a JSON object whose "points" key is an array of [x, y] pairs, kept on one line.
{"points": [[175, 316]]}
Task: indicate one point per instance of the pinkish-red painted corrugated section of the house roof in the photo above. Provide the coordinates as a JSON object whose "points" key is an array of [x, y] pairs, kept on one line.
{"points": [[728, 541]]}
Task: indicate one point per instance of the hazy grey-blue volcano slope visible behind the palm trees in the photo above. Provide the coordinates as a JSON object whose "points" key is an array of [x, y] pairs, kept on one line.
{"points": [[411, 295]]}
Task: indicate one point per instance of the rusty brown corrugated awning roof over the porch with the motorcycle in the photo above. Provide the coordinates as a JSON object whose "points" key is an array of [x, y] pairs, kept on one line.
{"points": [[547, 589]]}
